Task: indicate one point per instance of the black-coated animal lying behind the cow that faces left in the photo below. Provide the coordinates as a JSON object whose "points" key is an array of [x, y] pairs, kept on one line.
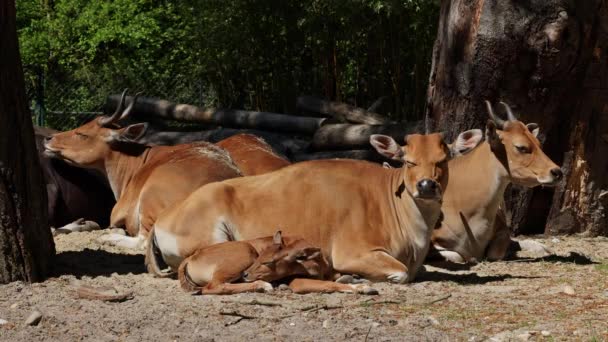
{"points": [[77, 198]]}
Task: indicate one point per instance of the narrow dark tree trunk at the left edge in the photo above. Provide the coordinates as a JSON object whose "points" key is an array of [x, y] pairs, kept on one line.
{"points": [[26, 244]]}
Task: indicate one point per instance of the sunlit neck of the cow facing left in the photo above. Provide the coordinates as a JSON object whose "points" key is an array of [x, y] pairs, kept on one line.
{"points": [[121, 167]]}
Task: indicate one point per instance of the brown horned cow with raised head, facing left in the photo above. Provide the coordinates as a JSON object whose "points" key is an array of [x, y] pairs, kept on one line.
{"points": [[146, 180]]}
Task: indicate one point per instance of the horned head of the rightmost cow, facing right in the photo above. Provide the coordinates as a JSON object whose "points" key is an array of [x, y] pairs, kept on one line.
{"points": [[526, 162]]}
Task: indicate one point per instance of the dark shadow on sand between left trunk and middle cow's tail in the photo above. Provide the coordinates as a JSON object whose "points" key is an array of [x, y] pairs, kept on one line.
{"points": [[97, 263]]}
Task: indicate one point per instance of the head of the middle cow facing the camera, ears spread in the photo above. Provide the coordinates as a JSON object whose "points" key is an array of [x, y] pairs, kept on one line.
{"points": [[425, 159]]}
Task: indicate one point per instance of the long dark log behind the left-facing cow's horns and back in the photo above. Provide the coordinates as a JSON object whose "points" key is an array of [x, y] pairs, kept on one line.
{"points": [[226, 117]]}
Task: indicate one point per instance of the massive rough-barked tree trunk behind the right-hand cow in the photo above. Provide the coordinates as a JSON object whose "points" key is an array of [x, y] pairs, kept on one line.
{"points": [[549, 60]]}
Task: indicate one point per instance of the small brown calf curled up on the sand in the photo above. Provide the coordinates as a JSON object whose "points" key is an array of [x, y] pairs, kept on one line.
{"points": [[211, 270]]}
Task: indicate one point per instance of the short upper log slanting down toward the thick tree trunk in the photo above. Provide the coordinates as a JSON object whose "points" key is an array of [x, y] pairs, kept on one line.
{"points": [[342, 111]]}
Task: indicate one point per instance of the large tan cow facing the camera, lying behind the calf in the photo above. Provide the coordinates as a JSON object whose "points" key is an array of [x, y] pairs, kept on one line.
{"points": [[367, 220]]}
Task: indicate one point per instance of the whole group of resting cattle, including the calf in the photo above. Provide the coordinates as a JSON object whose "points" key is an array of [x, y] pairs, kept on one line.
{"points": [[234, 216]]}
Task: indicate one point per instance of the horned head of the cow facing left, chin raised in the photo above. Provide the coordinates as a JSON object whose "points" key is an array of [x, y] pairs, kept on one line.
{"points": [[89, 144]]}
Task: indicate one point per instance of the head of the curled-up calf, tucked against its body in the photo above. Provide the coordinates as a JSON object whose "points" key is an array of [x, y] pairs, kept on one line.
{"points": [[280, 260]]}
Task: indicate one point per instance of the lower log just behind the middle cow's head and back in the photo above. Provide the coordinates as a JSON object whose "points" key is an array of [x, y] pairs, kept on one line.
{"points": [[348, 137]]}
